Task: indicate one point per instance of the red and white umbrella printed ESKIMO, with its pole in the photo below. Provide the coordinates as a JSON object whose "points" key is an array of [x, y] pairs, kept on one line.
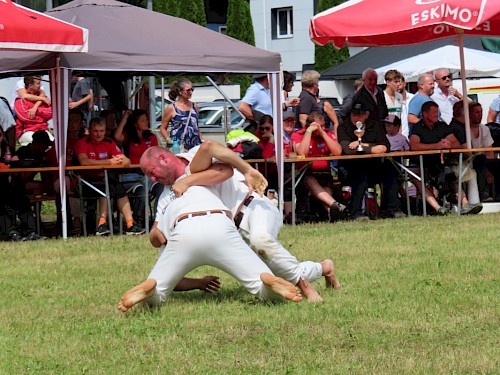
{"points": [[372, 23]]}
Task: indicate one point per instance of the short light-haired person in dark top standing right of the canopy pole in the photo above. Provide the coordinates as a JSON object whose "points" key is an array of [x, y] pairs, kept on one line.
{"points": [[308, 98]]}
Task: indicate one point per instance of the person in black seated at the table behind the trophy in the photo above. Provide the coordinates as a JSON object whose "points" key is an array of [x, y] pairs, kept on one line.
{"points": [[362, 174]]}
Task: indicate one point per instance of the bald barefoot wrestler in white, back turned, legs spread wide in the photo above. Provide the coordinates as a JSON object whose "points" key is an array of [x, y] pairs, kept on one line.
{"points": [[200, 231]]}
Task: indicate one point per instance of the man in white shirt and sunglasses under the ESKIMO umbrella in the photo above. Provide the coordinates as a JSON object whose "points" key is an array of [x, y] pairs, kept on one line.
{"points": [[445, 95]]}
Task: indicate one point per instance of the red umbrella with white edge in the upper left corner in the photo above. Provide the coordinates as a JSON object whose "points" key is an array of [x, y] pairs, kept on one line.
{"points": [[25, 29]]}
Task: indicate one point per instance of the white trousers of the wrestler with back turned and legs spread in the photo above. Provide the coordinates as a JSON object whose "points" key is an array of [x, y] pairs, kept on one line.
{"points": [[208, 240]]}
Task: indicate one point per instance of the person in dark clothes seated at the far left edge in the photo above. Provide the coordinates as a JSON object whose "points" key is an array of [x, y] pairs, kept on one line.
{"points": [[14, 203]]}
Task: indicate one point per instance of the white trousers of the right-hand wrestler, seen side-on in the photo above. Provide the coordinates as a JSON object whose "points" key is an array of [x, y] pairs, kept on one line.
{"points": [[260, 226]]}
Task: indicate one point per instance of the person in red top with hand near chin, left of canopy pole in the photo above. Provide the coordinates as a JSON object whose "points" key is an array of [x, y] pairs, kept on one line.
{"points": [[32, 115]]}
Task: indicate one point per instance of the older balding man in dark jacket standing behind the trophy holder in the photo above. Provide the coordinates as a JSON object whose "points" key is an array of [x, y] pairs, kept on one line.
{"points": [[371, 96]]}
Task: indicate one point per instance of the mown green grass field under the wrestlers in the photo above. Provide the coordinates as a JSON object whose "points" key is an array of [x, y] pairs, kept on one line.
{"points": [[419, 296]]}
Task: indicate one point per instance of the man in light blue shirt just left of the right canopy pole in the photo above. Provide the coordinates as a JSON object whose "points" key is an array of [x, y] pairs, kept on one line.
{"points": [[257, 99]]}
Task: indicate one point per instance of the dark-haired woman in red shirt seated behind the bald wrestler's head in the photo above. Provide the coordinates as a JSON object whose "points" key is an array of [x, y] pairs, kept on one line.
{"points": [[134, 134]]}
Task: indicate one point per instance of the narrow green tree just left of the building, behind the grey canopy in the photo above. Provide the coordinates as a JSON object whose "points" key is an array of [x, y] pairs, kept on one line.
{"points": [[239, 26]]}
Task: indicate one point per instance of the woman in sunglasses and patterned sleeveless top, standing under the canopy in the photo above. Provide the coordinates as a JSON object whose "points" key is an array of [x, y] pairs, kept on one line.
{"points": [[181, 116]]}
